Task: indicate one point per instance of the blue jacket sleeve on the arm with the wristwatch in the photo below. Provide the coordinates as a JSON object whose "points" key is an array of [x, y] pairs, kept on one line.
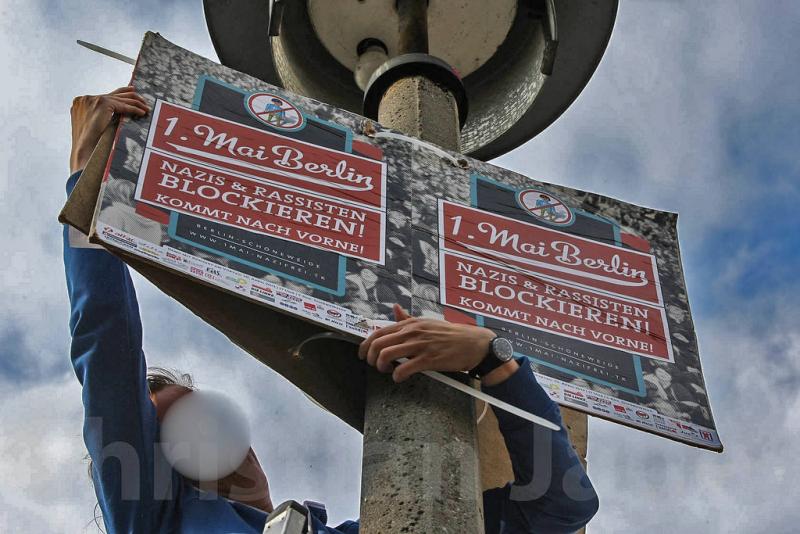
{"points": [[551, 491]]}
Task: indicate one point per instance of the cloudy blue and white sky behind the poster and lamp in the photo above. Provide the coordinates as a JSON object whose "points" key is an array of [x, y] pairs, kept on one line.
{"points": [[694, 109]]}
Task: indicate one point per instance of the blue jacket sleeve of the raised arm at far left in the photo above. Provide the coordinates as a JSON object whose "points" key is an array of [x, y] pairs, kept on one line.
{"points": [[120, 426]]}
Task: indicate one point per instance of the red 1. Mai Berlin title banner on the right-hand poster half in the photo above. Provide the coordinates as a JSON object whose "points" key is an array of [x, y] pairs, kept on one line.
{"points": [[536, 249]]}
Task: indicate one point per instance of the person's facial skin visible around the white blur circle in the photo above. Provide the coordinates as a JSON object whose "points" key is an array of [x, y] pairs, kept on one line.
{"points": [[248, 484]]}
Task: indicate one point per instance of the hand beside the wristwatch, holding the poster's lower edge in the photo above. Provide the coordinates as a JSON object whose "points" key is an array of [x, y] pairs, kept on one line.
{"points": [[429, 345]]}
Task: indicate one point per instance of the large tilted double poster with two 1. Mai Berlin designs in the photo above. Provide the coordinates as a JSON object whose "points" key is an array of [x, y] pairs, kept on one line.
{"points": [[325, 215]]}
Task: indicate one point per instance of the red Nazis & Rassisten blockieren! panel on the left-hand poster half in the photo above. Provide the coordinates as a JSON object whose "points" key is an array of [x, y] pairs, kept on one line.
{"points": [[261, 207]]}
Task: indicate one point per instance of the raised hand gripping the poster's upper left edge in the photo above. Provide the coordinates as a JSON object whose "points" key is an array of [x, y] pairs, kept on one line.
{"points": [[91, 114]]}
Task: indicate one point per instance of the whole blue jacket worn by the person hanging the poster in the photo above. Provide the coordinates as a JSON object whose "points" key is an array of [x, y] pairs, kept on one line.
{"points": [[139, 492]]}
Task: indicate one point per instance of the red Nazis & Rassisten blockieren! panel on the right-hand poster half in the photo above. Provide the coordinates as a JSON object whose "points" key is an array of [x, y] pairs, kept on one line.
{"points": [[510, 295]]}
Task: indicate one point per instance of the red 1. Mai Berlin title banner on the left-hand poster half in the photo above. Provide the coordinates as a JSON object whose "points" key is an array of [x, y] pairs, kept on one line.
{"points": [[266, 155]]}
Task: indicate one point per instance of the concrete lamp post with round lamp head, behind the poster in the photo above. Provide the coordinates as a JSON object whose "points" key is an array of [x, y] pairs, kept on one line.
{"points": [[472, 76]]}
